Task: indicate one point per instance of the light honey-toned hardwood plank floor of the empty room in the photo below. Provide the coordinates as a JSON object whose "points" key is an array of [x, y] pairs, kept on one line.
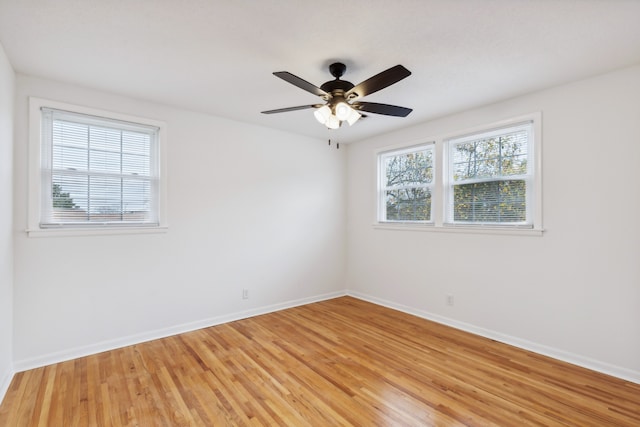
{"points": [[337, 362]]}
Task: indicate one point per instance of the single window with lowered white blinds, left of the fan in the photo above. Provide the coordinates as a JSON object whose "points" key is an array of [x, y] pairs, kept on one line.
{"points": [[96, 169]]}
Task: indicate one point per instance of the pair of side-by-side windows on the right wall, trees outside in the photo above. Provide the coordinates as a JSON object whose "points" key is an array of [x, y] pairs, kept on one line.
{"points": [[488, 178]]}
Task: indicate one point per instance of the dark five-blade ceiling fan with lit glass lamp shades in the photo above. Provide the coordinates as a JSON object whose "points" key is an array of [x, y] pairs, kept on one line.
{"points": [[340, 96]]}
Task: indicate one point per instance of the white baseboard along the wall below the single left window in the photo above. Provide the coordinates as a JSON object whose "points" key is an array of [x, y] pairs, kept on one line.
{"points": [[74, 353]]}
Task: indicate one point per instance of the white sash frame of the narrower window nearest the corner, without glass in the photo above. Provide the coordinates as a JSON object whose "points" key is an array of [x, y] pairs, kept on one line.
{"points": [[382, 187]]}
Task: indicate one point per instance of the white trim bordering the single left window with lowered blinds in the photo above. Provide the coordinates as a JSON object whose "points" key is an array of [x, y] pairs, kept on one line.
{"points": [[35, 183]]}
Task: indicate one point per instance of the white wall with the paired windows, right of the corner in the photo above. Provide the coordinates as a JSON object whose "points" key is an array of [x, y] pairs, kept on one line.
{"points": [[573, 293]]}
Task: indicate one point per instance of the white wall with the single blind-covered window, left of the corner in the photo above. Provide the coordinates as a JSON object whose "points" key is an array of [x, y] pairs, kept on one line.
{"points": [[249, 207]]}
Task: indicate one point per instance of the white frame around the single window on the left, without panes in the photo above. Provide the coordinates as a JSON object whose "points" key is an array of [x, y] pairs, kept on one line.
{"points": [[38, 183]]}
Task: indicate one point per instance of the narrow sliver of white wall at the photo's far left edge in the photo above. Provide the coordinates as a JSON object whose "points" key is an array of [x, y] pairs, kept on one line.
{"points": [[7, 78]]}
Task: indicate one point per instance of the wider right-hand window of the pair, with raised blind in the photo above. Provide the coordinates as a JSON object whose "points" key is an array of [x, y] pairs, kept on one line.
{"points": [[490, 177]]}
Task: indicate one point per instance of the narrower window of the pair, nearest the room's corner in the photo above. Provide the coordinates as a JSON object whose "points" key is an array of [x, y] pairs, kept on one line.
{"points": [[406, 181]]}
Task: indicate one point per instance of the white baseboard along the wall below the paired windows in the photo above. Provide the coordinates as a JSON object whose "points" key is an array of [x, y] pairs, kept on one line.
{"points": [[565, 356]]}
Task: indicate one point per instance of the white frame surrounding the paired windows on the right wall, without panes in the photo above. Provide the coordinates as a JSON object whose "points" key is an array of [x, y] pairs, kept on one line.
{"points": [[441, 192]]}
